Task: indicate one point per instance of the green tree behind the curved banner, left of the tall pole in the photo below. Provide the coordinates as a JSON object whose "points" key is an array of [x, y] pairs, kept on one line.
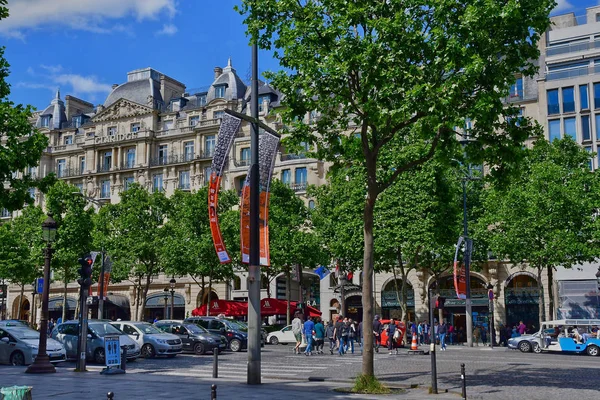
{"points": [[188, 247]]}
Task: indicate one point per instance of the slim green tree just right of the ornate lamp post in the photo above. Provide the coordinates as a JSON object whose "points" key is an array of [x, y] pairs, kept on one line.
{"points": [[74, 233]]}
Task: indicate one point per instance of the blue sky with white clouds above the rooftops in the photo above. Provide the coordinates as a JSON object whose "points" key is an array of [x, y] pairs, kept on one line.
{"points": [[84, 46]]}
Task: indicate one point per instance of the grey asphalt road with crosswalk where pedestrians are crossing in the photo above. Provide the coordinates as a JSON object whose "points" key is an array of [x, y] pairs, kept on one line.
{"points": [[490, 374]]}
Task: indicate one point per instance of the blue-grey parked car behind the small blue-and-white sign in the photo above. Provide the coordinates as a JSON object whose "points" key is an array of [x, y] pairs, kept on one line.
{"points": [[68, 334]]}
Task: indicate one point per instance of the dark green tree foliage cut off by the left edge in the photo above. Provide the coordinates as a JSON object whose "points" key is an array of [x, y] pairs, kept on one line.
{"points": [[21, 146]]}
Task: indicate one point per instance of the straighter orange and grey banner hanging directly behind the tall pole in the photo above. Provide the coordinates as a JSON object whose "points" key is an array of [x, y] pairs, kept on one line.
{"points": [[267, 151]]}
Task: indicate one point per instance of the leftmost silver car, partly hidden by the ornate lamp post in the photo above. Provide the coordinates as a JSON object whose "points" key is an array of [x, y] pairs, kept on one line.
{"points": [[19, 346]]}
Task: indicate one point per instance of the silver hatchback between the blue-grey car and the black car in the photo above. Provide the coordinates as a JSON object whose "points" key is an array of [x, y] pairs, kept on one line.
{"points": [[153, 342]]}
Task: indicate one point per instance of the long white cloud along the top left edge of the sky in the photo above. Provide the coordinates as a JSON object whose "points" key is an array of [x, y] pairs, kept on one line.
{"points": [[88, 15]]}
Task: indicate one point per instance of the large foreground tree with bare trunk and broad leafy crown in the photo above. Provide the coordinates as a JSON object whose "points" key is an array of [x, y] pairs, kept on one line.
{"points": [[398, 76]]}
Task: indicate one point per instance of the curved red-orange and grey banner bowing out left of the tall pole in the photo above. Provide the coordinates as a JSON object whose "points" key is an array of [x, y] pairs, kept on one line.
{"points": [[229, 127]]}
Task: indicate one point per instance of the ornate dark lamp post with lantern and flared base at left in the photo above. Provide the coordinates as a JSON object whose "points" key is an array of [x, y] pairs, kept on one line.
{"points": [[42, 361]]}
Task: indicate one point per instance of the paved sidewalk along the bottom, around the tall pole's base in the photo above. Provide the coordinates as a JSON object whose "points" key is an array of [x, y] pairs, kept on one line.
{"points": [[66, 385]]}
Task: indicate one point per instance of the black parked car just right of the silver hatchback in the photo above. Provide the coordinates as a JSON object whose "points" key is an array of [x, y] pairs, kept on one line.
{"points": [[194, 338]]}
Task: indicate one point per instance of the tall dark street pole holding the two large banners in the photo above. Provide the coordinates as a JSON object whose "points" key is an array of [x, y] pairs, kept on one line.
{"points": [[254, 362]]}
